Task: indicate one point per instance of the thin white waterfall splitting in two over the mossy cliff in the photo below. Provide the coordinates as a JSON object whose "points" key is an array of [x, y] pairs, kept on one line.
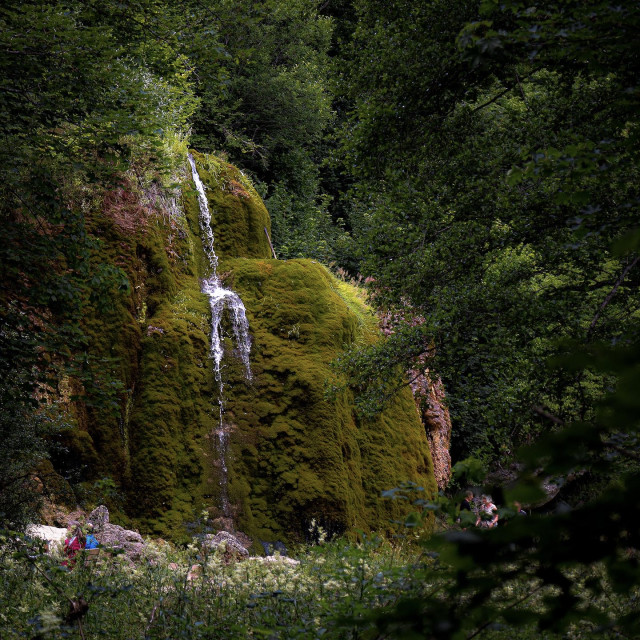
{"points": [[219, 300]]}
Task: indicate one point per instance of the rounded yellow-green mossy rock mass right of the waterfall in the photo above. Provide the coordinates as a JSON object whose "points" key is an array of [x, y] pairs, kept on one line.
{"points": [[296, 456]]}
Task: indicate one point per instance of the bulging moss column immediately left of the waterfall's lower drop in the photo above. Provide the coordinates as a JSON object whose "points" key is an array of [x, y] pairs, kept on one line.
{"points": [[173, 412]]}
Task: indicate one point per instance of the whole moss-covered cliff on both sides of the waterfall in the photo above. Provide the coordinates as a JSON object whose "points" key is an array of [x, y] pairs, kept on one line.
{"points": [[291, 455]]}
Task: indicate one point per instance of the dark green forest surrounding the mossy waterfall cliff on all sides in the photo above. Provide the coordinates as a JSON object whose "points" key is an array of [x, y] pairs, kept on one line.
{"points": [[473, 164]]}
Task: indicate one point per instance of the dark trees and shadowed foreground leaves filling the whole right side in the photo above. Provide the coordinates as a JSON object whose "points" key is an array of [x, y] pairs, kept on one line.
{"points": [[508, 220]]}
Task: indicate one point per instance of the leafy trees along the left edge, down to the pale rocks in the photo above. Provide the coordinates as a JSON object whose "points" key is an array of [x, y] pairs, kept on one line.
{"points": [[85, 87]]}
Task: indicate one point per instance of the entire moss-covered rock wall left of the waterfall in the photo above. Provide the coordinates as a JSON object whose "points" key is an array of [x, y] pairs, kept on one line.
{"points": [[154, 341]]}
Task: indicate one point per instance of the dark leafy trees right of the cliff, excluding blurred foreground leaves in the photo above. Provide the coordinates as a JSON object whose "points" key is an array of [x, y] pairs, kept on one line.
{"points": [[495, 154]]}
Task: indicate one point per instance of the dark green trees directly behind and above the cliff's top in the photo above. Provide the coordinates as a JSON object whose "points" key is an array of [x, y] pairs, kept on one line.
{"points": [[261, 71]]}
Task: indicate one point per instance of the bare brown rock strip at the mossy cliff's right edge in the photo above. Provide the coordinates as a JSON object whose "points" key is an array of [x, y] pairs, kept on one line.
{"points": [[428, 391]]}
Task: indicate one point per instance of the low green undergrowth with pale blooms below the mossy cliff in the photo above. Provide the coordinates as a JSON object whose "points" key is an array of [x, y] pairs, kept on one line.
{"points": [[190, 593]]}
